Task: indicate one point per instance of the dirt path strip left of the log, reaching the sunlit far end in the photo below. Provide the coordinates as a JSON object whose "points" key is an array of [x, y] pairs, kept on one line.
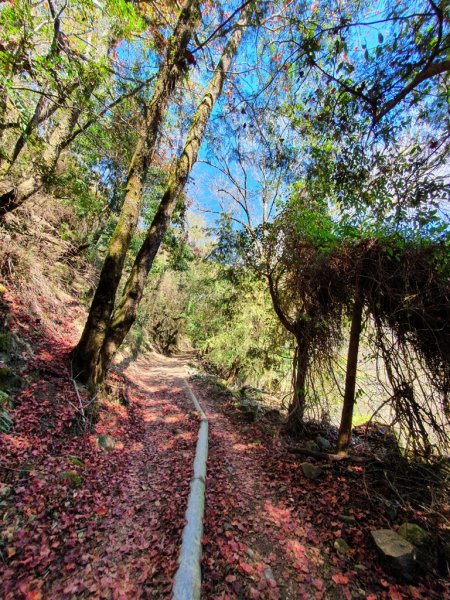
{"points": [[138, 555]]}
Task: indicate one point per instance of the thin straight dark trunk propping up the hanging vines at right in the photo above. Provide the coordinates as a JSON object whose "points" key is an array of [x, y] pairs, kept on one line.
{"points": [[345, 428]]}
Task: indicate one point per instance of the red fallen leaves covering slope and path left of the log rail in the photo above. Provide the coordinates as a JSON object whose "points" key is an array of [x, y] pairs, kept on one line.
{"points": [[121, 529]]}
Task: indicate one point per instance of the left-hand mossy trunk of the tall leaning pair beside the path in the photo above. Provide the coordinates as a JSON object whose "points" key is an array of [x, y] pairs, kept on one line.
{"points": [[85, 354]]}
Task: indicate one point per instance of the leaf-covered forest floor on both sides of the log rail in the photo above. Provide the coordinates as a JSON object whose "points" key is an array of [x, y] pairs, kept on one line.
{"points": [[80, 522]]}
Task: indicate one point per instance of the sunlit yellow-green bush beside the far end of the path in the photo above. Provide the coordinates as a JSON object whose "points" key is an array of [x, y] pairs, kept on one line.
{"points": [[230, 320]]}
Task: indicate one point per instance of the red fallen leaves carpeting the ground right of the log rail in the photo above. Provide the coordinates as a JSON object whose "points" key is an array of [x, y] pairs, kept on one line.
{"points": [[271, 515]]}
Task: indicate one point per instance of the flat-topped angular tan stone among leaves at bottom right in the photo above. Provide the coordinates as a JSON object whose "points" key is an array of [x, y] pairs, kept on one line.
{"points": [[398, 554]]}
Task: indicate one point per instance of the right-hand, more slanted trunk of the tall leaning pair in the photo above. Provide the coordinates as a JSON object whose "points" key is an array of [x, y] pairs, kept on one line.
{"points": [[125, 313]]}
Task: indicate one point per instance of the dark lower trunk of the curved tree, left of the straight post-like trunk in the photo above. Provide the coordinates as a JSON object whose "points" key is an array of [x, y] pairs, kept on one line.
{"points": [[296, 410]]}
